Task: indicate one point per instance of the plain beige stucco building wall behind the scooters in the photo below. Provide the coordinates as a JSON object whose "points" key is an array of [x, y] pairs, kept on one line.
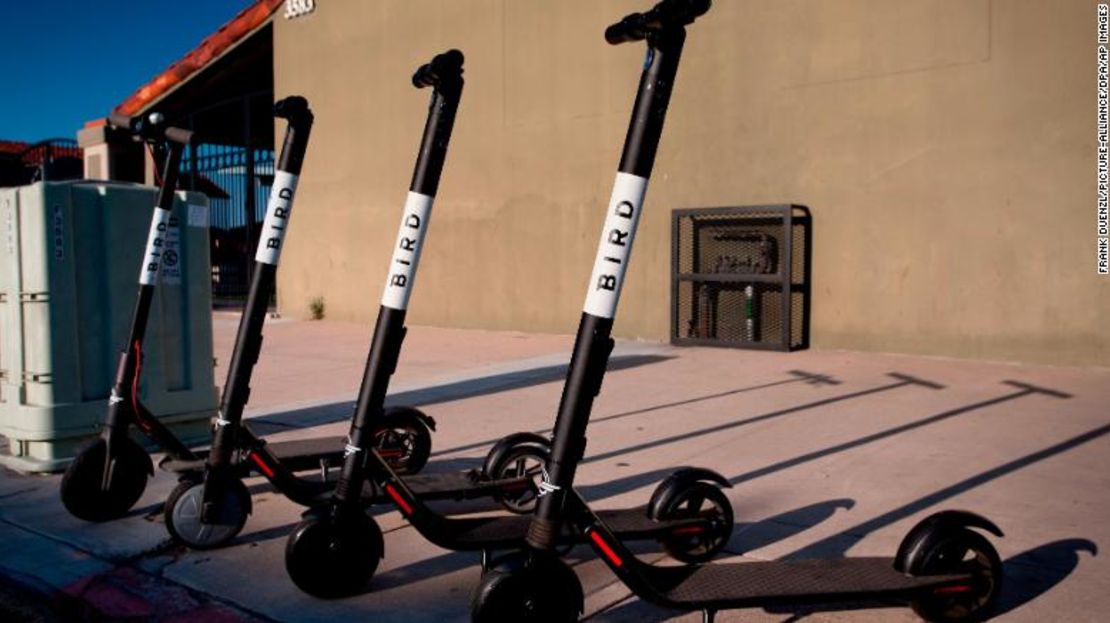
{"points": [[946, 149]]}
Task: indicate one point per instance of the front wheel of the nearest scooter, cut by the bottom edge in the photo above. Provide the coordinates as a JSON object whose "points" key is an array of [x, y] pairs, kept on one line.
{"points": [[537, 589]]}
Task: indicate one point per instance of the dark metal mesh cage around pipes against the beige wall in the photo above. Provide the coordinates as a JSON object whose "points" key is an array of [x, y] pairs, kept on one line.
{"points": [[741, 277]]}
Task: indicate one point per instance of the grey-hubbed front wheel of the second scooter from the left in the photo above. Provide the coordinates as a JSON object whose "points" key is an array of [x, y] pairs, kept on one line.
{"points": [[184, 515]]}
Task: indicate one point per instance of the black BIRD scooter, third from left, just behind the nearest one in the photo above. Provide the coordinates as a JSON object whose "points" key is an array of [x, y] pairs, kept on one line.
{"points": [[336, 550]]}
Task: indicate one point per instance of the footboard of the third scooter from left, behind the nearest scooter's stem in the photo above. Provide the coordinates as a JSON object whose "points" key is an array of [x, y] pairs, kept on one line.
{"points": [[493, 532]]}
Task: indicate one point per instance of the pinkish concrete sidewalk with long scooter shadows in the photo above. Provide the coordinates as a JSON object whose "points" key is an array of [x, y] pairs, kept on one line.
{"points": [[844, 465]]}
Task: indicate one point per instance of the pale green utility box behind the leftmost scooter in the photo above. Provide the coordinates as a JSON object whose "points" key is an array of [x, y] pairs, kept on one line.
{"points": [[70, 255]]}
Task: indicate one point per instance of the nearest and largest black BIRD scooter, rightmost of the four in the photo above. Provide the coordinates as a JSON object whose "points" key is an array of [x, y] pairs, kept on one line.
{"points": [[944, 569]]}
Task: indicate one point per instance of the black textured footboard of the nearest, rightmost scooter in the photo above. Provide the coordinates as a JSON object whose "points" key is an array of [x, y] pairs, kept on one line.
{"points": [[789, 582]]}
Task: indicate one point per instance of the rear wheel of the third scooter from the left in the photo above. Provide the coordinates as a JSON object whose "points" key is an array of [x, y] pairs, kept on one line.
{"points": [[693, 545]]}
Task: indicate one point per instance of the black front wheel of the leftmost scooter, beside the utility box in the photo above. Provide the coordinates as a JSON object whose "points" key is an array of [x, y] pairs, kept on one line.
{"points": [[82, 491]]}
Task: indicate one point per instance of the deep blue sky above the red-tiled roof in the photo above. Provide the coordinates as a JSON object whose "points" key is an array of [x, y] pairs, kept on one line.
{"points": [[64, 63]]}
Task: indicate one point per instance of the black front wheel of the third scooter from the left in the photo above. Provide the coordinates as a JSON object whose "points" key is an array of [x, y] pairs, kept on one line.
{"points": [[332, 558]]}
